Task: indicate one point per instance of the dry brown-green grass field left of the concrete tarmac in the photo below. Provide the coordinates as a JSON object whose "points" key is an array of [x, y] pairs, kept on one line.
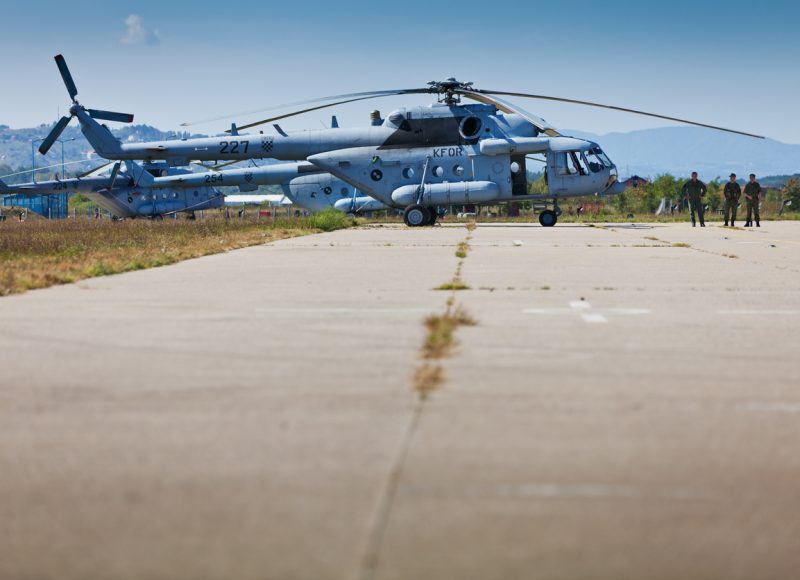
{"points": [[41, 253]]}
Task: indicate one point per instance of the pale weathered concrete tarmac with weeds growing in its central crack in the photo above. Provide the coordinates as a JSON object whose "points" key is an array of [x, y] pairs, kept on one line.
{"points": [[626, 407]]}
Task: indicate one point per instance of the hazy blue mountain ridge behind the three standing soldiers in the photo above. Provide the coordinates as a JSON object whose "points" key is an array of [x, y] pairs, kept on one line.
{"points": [[681, 150]]}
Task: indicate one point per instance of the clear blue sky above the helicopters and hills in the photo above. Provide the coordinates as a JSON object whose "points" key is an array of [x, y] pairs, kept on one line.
{"points": [[732, 64]]}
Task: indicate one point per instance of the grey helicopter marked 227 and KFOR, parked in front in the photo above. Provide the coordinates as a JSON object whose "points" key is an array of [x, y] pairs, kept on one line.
{"points": [[446, 153]]}
